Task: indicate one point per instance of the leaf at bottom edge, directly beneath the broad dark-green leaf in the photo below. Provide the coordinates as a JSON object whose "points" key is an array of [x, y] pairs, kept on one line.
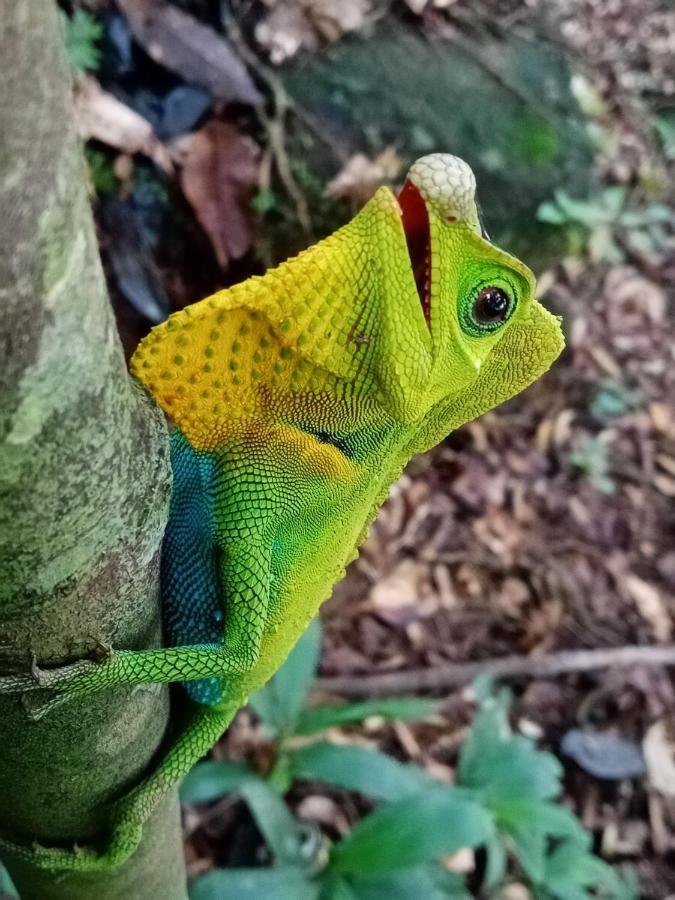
{"points": [[426, 882]]}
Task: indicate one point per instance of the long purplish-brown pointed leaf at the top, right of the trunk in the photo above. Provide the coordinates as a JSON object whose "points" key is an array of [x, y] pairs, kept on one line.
{"points": [[197, 53]]}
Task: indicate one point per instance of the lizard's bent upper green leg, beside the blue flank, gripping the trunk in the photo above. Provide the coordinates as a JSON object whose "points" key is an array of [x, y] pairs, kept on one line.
{"points": [[244, 581]]}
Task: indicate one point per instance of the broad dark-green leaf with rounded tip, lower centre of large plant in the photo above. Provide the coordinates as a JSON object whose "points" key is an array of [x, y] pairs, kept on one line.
{"points": [[417, 829]]}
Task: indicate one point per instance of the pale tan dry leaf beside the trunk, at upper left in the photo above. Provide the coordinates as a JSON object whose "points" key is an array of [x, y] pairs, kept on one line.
{"points": [[102, 116]]}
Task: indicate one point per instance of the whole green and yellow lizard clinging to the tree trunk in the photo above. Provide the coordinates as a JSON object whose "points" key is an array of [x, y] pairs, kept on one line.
{"points": [[297, 398]]}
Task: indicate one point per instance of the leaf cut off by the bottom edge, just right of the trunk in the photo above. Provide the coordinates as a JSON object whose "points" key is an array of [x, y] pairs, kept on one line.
{"points": [[253, 884]]}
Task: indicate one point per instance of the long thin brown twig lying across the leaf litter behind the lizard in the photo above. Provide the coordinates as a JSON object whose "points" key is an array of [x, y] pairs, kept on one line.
{"points": [[454, 675]]}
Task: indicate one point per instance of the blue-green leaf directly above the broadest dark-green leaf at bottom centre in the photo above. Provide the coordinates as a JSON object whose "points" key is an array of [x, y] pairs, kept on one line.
{"points": [[358, 769]]}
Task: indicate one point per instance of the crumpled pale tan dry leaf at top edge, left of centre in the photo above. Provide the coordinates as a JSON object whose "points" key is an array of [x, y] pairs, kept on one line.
{"points": [[295, 25]]}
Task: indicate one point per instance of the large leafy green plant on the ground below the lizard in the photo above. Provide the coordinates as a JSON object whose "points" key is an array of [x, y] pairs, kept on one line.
{"points": [[503, 801]]}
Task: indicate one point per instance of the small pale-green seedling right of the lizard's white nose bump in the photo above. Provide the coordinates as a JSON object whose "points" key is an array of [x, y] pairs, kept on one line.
{"points": [[606, 226]]}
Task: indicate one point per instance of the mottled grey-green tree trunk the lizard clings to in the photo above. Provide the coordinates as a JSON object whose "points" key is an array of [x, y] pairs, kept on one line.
{"points": [[84, 488]]}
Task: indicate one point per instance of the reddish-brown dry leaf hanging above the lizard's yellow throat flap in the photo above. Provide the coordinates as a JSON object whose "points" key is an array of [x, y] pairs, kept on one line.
{"points": [[219, 174]]}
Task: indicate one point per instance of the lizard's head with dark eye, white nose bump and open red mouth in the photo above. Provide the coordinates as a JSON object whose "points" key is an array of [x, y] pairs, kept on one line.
{"points": [[484, 334]]}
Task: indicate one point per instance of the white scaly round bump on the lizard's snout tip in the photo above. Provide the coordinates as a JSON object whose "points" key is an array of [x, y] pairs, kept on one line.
{"points": [[448, 183]]}
